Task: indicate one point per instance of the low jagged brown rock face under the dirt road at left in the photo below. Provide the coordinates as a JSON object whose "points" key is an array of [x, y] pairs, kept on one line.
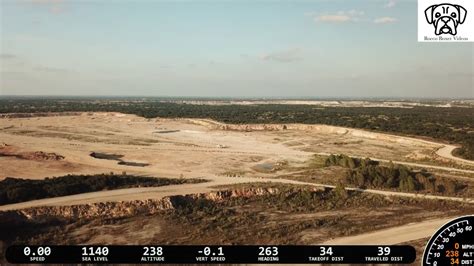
{"points": [[123, 208]]}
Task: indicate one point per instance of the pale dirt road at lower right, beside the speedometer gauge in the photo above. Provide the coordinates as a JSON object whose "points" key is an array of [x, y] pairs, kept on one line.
{"points": [[394, 235]]}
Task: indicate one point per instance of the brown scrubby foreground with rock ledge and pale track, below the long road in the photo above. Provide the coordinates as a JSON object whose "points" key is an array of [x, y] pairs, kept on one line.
{"points": [[246, 214]]}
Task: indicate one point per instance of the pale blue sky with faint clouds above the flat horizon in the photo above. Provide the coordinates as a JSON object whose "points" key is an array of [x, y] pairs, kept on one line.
{"points": [[365, 48]]}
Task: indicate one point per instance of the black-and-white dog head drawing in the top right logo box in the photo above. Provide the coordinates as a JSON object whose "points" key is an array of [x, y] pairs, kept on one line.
{"points": [[445, 17]]}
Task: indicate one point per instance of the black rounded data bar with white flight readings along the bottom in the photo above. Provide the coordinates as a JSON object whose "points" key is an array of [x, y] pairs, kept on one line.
{"points": [[157, 254]]}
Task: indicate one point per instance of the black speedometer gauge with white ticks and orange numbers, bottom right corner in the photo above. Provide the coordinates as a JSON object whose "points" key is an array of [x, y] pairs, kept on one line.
{"points": [[452, 244]]}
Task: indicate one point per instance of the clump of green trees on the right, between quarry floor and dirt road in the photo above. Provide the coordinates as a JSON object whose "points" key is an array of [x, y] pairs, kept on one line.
{"points": [[366, 173]]}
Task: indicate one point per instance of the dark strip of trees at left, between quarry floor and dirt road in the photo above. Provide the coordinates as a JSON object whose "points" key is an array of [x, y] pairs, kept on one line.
{"points": [[14, 190]]}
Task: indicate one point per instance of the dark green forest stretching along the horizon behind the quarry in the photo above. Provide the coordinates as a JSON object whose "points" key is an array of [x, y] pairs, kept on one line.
{"points": [[453, 124]]}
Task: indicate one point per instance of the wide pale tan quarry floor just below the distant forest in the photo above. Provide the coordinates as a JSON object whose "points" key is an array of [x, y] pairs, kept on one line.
{"points": [[181, 147]]}
